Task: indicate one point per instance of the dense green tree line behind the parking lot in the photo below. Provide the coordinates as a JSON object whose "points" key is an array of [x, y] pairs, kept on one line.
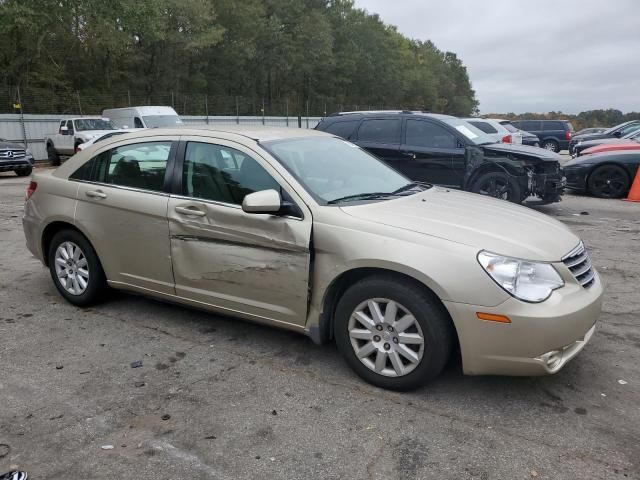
{"points": [[324, 52]]}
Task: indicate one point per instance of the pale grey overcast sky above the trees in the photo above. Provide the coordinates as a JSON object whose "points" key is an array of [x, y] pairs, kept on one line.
{"points": [[533, 56]]}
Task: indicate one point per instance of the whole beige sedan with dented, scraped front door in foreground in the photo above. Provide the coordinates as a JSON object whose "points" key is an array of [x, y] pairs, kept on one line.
{"points": [[302, 230]]}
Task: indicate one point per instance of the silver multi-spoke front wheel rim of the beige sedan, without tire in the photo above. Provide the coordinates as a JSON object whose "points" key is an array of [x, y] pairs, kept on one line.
{"points": [[386, 337]]}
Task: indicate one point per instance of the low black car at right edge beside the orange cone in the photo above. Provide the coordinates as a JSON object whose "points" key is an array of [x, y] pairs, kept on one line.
{"points": [[604, 175]]}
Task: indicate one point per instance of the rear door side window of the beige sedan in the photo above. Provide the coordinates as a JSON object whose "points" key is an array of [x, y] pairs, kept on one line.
{"points": [[140, 165]]}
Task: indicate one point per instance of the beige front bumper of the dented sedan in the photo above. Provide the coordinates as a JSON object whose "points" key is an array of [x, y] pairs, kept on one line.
{"points": [[540, 339]]}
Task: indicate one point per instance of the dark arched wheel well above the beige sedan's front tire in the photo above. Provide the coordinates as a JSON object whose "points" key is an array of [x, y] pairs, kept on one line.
{"points": [[348, 278]]}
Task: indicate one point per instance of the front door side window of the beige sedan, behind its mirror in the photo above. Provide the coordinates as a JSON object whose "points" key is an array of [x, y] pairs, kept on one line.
{"points": [[222, 174]]}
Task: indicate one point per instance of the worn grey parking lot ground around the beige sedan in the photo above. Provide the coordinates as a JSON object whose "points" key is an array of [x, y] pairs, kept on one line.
{"points": [[219, 398]]}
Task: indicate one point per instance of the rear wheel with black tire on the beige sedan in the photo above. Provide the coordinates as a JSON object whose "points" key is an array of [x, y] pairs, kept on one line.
{"points": [[96, 284]]}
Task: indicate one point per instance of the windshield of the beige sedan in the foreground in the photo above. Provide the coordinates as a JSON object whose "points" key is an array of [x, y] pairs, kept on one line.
{"points": [[336, 171]]}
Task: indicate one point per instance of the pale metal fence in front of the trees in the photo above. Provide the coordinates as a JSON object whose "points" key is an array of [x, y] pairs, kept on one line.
{"points": [[31, 130]]}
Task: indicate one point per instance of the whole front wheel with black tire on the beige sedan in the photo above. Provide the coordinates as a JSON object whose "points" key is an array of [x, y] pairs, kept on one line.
{"points": [[431, 324]]}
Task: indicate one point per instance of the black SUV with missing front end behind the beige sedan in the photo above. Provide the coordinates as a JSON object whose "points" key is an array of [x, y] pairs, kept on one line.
{"points": [[449, 151]]}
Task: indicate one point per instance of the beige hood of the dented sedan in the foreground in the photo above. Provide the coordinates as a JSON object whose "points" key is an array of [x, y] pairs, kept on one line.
{"points": [[475, 220]]}
